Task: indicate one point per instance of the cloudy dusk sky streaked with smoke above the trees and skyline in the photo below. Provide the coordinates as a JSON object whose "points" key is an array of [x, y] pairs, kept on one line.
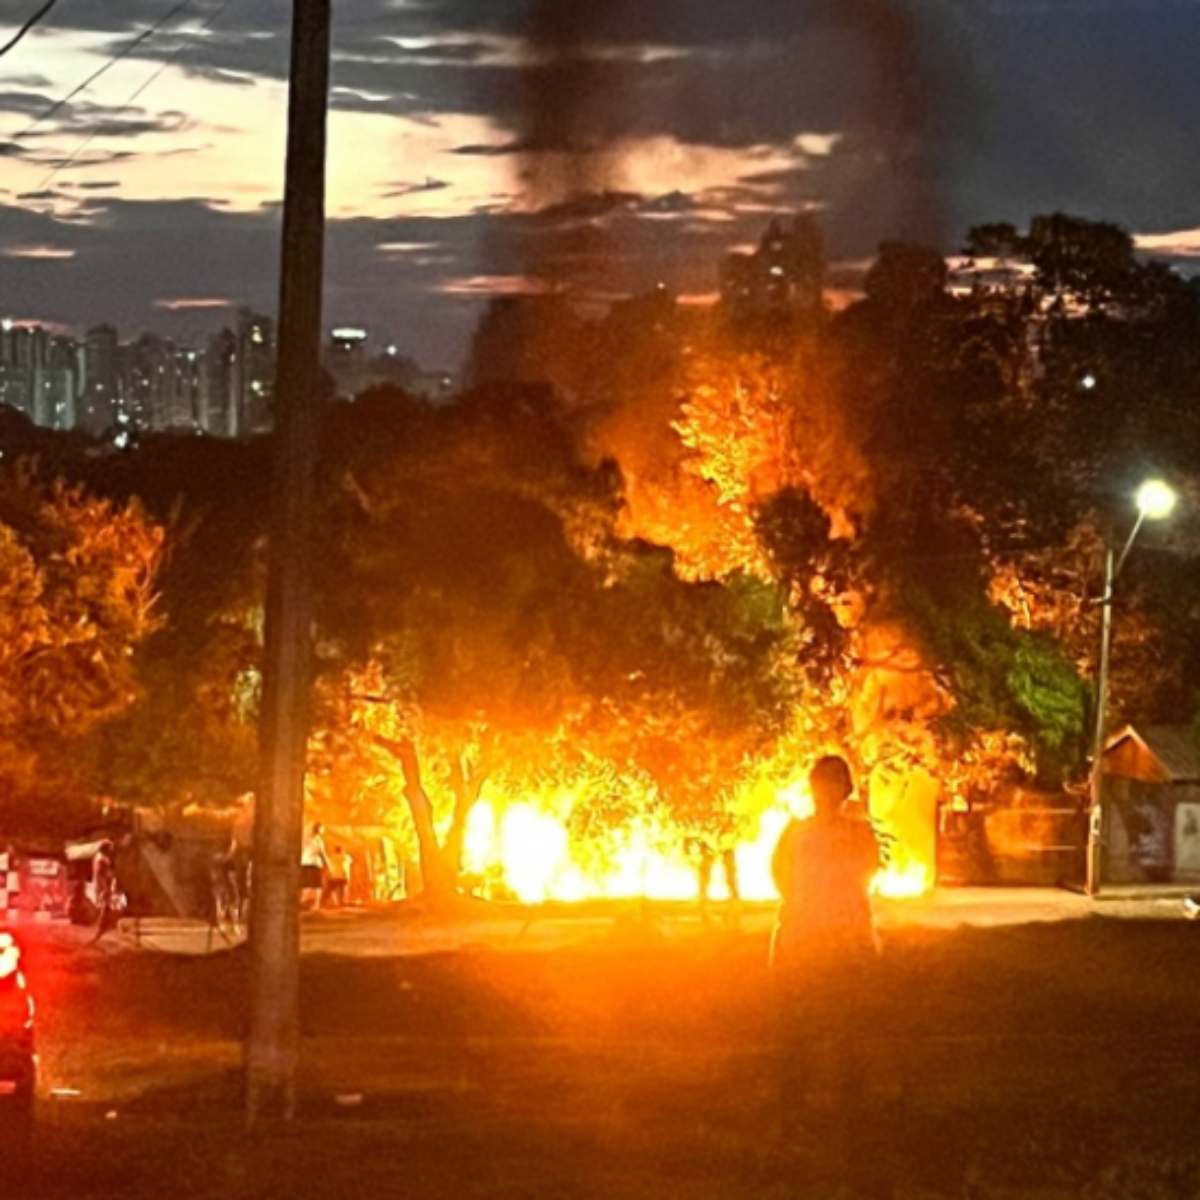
{"points": [[479, 145]]}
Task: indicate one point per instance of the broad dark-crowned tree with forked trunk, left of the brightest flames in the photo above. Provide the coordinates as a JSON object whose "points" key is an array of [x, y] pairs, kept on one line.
{"points": [[488, 627]]}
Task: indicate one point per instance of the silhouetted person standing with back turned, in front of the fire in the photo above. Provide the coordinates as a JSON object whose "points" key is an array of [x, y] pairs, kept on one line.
{"points": [[825, 953]]}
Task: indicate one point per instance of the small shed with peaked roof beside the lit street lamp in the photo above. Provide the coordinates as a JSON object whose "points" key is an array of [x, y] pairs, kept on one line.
{"points": [[1153, 806]]}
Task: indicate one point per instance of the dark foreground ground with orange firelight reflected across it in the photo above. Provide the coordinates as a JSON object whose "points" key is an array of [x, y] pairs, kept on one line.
{"points": [[622, 1055]]}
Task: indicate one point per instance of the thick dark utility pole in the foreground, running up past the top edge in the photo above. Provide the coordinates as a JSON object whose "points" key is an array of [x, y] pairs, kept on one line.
{"points": [[273, 1049]]}
